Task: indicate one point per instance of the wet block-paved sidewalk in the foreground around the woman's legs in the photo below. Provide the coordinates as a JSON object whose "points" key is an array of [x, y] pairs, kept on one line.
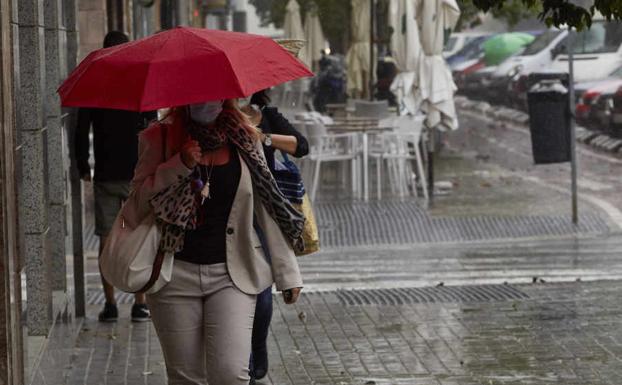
{"points": [[524, 334]]}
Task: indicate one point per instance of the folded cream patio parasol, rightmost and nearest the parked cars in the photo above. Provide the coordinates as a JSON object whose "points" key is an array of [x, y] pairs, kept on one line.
{"points": [[436, 85]]}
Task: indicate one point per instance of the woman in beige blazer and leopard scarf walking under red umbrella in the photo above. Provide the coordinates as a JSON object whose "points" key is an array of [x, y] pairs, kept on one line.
{"points": [[203, 172]]}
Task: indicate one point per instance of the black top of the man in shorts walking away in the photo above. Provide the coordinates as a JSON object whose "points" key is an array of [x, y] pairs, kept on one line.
{"points": [[115, 141]]}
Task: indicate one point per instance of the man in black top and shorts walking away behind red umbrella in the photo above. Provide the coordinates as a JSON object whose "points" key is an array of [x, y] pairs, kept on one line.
{"points": [[115, 142]]}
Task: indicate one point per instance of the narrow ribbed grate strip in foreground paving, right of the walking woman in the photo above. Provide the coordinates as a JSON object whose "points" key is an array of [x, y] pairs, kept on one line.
{"points": [[442, 294]]}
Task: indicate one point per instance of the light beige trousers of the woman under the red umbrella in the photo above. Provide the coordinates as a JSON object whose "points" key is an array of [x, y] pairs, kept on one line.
{"points": [[204, 323]]}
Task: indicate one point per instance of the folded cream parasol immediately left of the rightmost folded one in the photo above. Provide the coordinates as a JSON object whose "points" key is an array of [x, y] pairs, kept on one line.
{"points": [[406, 51]]}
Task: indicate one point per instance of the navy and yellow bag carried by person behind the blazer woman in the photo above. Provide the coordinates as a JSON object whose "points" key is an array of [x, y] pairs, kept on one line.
{"points": [[289, 180]]}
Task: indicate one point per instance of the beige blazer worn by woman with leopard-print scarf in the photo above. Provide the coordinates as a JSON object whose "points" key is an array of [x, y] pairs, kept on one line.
{"points": [[246, 262]]}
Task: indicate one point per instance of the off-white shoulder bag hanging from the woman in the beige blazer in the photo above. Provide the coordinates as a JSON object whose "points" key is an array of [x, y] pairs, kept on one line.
{"points": [[130, 260]]}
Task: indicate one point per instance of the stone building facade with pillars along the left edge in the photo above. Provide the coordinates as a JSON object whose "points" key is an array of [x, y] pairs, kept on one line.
{"points": [[39, 43]]}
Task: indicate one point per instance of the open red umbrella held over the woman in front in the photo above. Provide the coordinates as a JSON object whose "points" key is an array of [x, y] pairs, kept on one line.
{"points": [[177, 67]]}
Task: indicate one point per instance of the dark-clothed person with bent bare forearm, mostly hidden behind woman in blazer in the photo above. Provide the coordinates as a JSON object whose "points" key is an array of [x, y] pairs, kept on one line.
{"points": [[277, 134]]}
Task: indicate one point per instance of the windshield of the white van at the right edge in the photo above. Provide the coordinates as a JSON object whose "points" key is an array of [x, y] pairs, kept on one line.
{"points": [[603, 37]]}
